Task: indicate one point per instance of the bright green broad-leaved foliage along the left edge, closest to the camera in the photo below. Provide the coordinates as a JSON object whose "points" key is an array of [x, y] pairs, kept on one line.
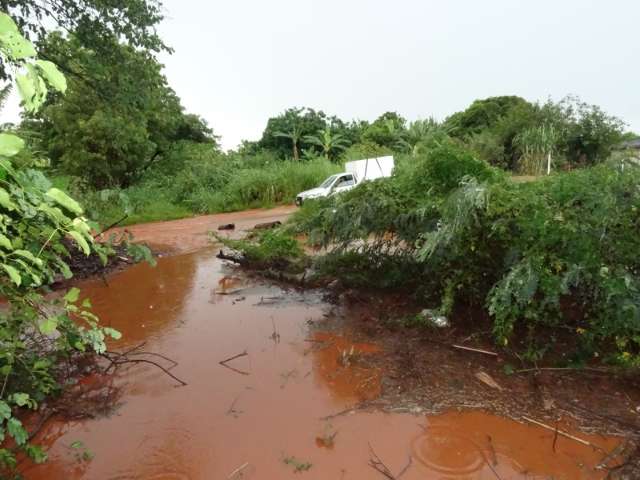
{"points": [[42, 340]]}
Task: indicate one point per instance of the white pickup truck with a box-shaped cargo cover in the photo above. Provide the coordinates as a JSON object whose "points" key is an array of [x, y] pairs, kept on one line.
{"points": [[355, 173]]}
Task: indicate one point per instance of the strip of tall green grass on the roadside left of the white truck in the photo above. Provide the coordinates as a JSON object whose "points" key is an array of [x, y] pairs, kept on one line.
{"points": [[209, 184]]}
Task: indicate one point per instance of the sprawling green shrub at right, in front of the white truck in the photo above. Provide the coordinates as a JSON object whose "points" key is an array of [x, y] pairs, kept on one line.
{"points": [[559, 253]]}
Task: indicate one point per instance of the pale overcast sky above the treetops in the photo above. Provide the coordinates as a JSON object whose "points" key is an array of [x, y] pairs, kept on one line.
{"points": [[238, 62]]}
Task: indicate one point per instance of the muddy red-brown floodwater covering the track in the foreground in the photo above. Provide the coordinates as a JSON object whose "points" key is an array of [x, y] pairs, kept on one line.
{"points": [[262, 417]]}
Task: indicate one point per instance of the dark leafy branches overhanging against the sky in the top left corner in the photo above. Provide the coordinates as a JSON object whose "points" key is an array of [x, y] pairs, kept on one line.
{"points": [[96, 24]]}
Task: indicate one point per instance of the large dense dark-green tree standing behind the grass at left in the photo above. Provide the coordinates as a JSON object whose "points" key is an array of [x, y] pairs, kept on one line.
{"points": [[110, 128]]}
